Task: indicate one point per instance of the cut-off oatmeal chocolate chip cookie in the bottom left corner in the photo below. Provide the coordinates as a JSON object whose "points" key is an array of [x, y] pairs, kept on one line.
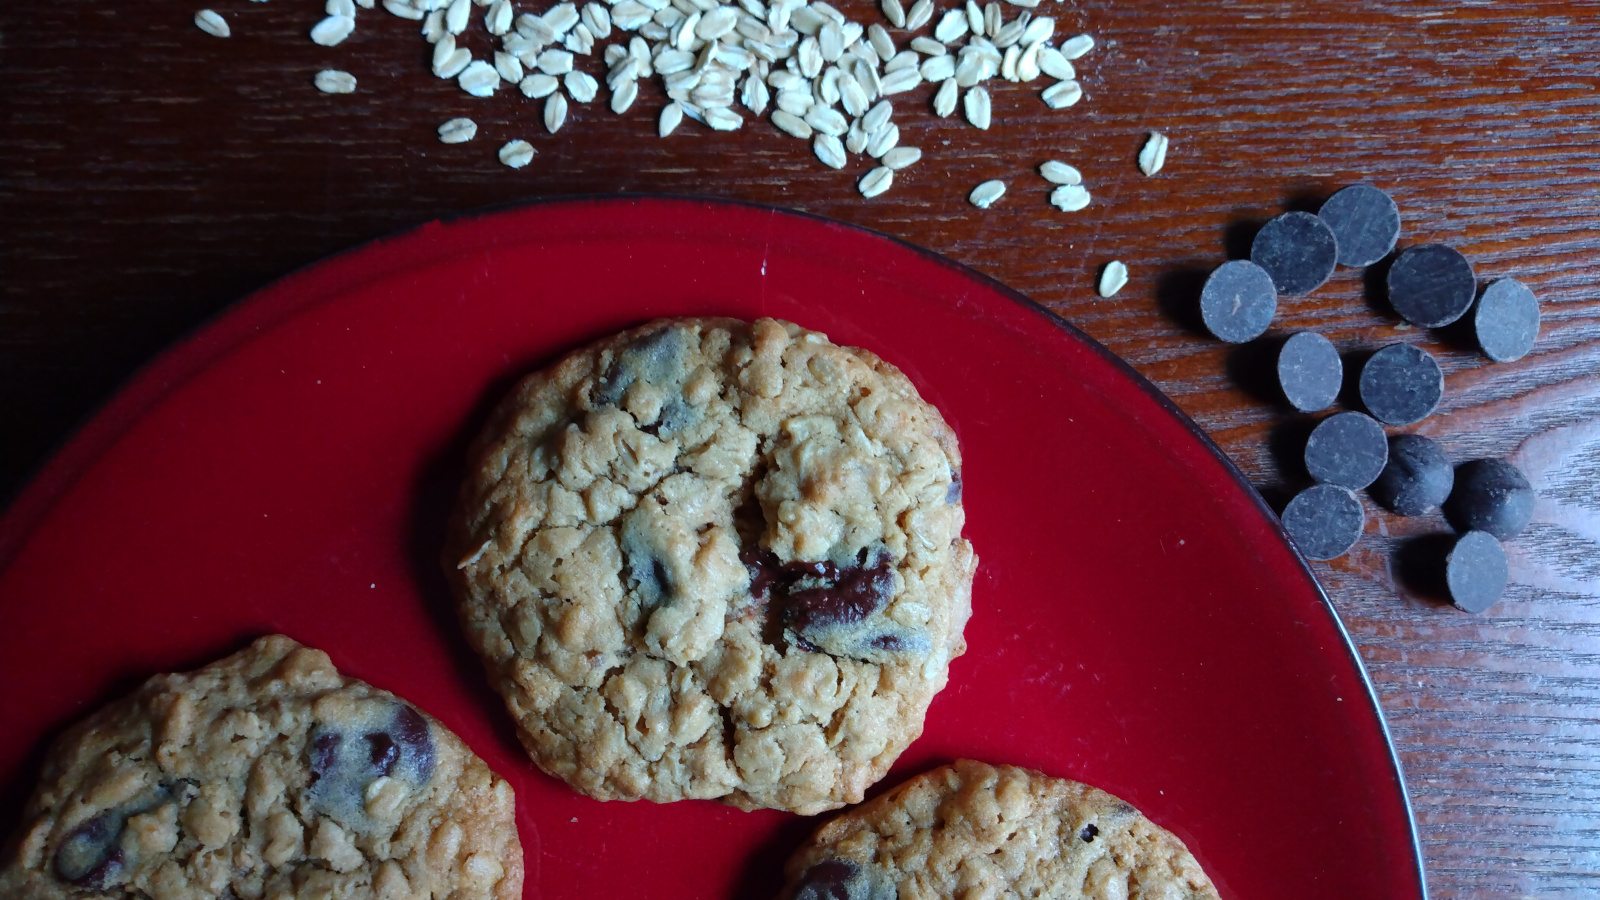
{"points": [[266, 776]]}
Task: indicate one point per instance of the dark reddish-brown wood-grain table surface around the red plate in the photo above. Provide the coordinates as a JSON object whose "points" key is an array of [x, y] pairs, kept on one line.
{"points": [[151, 175]]}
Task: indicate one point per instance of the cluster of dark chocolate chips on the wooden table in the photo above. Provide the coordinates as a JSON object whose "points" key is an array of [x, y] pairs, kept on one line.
{"points": [[1430, 286]]}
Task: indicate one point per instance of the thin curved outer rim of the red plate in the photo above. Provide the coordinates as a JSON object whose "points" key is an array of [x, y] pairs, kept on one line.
{"points": [[322, 281]]}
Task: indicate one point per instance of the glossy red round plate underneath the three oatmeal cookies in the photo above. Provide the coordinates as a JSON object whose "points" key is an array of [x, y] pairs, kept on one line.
{"points": [[1140, 622]]}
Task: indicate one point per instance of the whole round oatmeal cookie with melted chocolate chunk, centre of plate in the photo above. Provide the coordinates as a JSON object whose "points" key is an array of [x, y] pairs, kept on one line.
{"points": [[716, 560]]}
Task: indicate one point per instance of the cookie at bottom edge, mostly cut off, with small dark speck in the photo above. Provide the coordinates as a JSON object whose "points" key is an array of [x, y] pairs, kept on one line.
{"points": [[977, 830]]}
